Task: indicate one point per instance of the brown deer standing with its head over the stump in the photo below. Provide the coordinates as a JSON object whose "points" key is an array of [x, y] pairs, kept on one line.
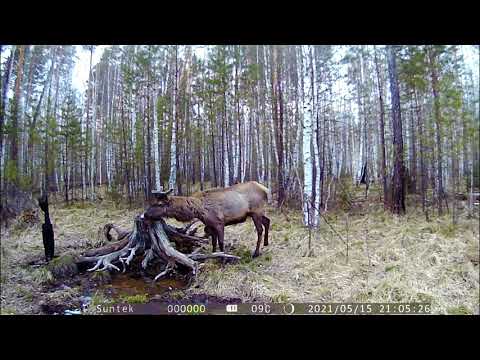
{"points": [[216, 208]]}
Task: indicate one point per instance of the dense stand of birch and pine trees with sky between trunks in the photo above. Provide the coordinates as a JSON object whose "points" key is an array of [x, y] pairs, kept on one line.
{"points": [[301, 119]]}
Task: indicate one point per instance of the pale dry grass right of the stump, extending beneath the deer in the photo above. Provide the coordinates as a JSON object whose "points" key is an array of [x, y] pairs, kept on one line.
{"points": [[400, 259]]}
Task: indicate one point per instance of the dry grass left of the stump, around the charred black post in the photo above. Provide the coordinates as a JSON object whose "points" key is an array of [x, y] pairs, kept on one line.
{"points": [[76, 227]]}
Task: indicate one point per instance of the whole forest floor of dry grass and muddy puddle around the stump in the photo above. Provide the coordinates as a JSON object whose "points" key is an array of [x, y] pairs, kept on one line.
{"points": [[390, 259]]}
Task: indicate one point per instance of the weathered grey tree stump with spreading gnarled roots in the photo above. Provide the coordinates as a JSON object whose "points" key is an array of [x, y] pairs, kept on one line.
{"points": [[153, 242]]}
